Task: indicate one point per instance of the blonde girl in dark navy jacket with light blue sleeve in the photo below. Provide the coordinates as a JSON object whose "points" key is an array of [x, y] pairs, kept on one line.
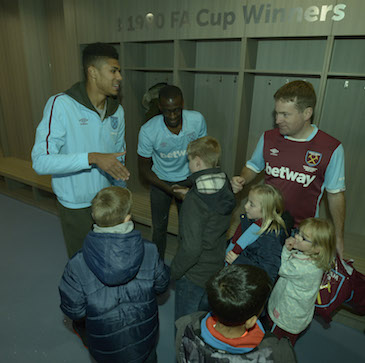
{"points": [[260, 236]]}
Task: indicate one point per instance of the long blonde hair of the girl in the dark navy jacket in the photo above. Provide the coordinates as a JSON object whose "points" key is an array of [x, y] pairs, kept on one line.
{"points": [[272, 207]]}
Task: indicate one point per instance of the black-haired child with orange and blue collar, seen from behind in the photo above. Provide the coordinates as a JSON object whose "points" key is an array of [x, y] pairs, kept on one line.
{"points": [[232, 332]]}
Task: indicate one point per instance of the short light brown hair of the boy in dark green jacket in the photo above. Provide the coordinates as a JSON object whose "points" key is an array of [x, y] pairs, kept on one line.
{"points": [[206, 148]]}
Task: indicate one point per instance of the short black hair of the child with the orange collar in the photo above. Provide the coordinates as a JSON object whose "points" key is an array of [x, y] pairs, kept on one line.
{"points": [[238, 292]]}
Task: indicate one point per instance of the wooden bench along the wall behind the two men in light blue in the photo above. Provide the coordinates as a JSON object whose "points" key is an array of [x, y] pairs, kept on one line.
{"points": [[22, 182]]}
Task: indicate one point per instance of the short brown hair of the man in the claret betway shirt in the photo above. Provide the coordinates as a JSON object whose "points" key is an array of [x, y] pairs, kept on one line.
{"points": [[300, 92]]}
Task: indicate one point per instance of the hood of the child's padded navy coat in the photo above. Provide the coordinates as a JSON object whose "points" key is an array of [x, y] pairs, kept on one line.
{"points": [[114, 258]]}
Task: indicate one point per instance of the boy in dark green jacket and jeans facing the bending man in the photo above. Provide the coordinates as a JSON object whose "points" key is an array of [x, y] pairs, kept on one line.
{"points": [[203, 222]]}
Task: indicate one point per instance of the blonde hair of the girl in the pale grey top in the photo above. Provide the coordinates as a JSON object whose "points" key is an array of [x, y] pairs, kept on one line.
{"points": [[322, 236]]}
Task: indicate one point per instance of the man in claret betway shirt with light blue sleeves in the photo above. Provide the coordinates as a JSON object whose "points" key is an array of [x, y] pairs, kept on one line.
{"points": [[300, 160]]}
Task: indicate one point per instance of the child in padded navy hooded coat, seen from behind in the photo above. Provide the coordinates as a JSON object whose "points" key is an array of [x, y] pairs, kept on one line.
{"points": [[112, 283]]}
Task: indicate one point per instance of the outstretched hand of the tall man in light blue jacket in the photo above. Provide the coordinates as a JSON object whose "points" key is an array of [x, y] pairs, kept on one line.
{"points": [[110, 164]]}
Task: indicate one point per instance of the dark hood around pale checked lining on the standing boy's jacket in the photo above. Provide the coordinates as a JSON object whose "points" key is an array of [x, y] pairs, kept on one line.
{"points": [[222, 200]]}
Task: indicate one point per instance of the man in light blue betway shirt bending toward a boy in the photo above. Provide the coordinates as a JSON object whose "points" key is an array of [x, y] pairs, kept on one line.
{"points": [[162, 157]]}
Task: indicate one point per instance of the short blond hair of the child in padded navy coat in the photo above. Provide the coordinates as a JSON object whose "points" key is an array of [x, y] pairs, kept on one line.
{"points": [[111, 206]]}
